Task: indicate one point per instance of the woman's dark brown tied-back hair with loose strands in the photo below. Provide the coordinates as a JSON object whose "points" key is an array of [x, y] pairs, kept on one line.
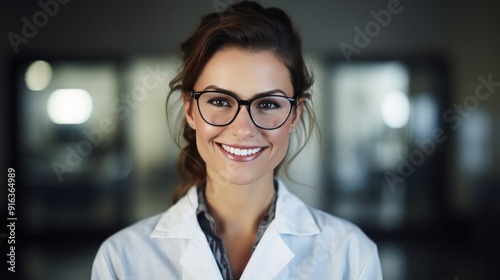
{"points": [[249, 26]]}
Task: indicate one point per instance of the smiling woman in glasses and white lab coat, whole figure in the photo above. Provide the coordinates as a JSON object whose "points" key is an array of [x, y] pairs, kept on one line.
{"points": [[244, 87]]}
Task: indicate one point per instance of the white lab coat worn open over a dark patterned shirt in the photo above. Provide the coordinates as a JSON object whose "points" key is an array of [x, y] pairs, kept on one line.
{"points": [[300, 243]]}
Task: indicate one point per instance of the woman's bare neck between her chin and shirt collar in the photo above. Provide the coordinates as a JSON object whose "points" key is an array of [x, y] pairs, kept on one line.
{"points": [[238, 209]]}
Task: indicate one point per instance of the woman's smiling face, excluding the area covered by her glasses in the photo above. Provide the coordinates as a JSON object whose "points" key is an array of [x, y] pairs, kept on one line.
{"points": [[246, 74]]}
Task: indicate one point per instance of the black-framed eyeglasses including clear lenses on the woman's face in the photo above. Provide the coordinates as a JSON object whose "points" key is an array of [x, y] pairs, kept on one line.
{"points": [[220, 108]]}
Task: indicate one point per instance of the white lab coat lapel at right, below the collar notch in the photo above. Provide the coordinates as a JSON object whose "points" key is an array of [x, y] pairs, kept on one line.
{"points": [[269, 258]]}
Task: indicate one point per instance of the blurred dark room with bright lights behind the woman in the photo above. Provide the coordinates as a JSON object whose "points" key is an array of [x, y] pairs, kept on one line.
{"points": [[406, 95]]}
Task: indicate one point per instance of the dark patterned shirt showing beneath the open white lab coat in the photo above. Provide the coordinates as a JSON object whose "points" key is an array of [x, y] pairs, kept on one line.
{"points": [[207, 224]]}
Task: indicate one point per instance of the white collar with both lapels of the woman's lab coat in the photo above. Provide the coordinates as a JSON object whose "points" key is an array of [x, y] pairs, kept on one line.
{"points": [[292, 217]]}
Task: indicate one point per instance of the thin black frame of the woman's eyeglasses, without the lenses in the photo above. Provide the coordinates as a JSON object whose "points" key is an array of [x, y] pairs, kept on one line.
{"points": [[196, 95]]}
